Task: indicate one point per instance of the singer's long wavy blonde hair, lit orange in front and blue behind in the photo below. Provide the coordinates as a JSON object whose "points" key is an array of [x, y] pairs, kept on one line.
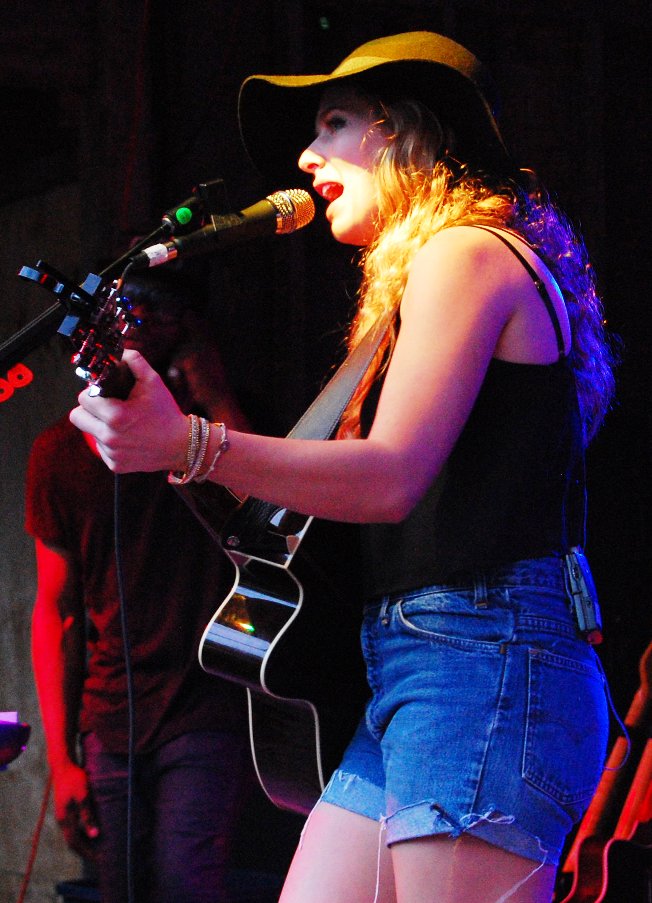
{"points": [[422, 188]]}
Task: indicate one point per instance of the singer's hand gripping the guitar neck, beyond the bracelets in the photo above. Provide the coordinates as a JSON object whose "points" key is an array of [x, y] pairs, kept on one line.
{"points": [[147, 432]]}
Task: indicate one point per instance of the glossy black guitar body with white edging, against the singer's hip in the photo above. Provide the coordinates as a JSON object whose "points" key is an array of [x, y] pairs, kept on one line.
{"points": [[291, 637]]}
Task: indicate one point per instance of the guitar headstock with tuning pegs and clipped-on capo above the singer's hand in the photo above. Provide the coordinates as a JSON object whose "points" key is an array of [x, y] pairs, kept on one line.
{"points": [[97, 324]]}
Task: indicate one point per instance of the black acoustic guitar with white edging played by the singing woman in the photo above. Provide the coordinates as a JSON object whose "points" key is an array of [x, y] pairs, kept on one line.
{"points": [[290, 636]]}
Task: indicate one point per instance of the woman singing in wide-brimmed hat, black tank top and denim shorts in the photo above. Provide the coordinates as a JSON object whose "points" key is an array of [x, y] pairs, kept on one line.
{"points": [[461, 455]]}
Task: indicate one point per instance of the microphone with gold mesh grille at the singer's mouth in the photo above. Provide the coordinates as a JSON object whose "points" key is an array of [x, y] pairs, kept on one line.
{"points": [[278, 214]]}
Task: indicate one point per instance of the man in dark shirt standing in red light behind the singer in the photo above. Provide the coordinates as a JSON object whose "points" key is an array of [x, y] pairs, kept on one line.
{"points": [[188, 728]]}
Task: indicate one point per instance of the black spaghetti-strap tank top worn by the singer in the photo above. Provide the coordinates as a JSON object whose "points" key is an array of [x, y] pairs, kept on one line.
{"points": [[503, 493]]}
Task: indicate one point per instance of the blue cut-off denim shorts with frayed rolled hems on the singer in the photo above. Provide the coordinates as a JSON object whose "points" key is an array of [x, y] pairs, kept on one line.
{"points": [[488, 714]]}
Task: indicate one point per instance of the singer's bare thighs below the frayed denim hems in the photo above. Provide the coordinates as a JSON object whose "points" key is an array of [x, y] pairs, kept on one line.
{"points": [[342, 858]]}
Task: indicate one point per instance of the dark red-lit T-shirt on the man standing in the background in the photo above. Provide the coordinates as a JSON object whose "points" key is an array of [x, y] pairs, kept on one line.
{"points": [[175, 577]]}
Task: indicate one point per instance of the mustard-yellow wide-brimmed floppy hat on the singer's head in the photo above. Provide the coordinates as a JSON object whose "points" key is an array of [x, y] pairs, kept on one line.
{"points": [[277, 112]]}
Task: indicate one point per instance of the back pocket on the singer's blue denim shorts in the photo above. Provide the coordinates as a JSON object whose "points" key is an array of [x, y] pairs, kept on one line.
{"points": [[566, 729]]}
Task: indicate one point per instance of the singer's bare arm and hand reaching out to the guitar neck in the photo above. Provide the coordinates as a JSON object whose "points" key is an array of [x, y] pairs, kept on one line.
{"points": [[457, 303]]}
